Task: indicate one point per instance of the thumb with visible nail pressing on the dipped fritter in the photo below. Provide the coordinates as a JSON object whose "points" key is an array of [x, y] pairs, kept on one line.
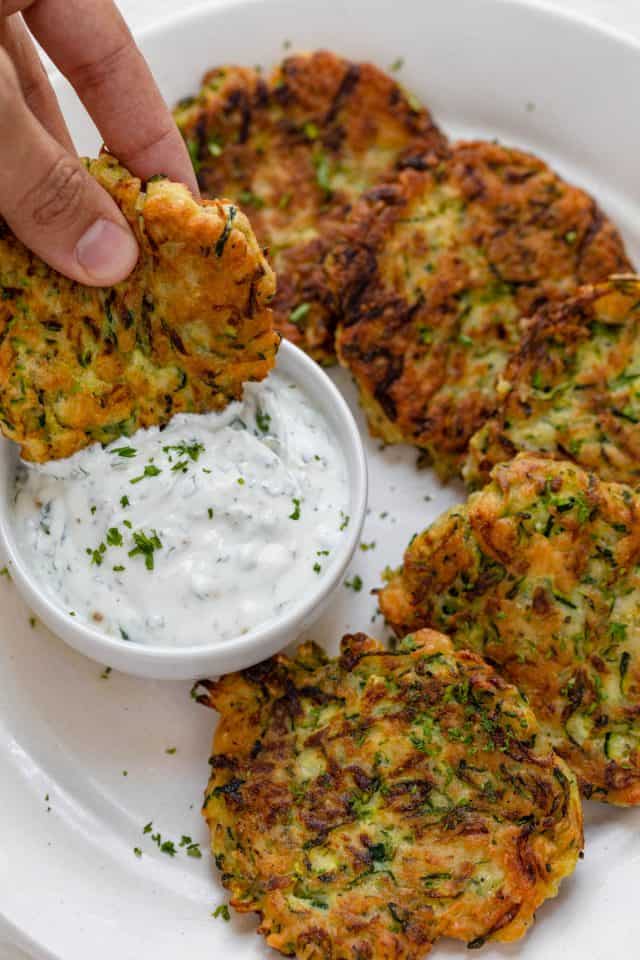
{"points": [[52, 203]]}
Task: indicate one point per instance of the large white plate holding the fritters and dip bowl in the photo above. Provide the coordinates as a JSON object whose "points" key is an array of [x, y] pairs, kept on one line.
{"points": [[70, 885]]}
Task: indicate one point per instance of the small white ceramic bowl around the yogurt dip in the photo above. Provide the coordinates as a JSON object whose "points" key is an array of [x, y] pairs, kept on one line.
{"points": [[249, 648]]}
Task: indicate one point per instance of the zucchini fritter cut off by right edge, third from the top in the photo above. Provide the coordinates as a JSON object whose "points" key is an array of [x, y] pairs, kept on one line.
{"points": [[572, 388]]}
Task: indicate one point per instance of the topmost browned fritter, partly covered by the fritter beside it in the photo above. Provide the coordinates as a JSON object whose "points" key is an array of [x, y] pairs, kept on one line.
{"points": [[295, 151]]}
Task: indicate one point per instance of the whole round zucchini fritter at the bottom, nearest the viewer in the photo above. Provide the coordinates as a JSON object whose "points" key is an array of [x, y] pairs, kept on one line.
{"points": [[367, 805]]}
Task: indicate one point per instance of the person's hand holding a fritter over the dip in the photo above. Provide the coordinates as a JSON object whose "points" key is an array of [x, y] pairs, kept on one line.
{"points": [[49, 200]]}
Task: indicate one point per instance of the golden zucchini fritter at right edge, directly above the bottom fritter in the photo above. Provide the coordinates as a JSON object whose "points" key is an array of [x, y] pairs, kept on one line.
{"points": [[540, 574]]}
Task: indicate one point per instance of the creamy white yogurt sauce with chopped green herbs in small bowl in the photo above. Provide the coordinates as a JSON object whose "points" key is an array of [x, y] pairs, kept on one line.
{"points": [[193, 534]]}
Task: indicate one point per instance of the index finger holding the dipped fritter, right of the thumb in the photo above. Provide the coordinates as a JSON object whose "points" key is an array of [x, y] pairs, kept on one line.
{"points": [[92, 46]]}
